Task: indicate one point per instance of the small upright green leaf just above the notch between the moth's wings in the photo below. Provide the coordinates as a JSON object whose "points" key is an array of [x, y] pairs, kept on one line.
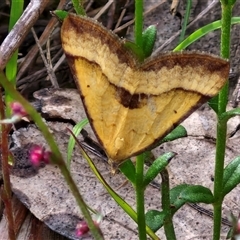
{"points": [[149, 38]]}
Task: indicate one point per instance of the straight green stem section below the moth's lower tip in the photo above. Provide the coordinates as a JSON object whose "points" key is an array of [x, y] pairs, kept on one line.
{"points": [[140, 197]]}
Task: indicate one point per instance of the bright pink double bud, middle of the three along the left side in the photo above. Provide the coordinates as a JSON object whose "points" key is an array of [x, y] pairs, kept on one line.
{"points": [[38, 155]]}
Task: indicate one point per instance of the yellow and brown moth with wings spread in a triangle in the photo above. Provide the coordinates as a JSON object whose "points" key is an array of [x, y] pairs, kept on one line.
{"points": [[132, 105]]}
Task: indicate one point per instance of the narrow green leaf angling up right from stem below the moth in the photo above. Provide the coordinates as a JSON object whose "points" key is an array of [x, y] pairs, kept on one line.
{"points": [[158, 165]]}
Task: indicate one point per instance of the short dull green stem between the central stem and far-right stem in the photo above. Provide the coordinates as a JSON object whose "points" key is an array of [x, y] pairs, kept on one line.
{"points": [[166, 206]]}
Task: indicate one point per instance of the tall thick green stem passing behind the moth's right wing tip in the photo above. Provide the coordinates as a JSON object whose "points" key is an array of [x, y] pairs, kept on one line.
{"points": [[222, 125]]}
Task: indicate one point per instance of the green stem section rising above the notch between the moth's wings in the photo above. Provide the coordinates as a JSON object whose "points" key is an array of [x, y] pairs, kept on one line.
{"points": [[138, 29]]}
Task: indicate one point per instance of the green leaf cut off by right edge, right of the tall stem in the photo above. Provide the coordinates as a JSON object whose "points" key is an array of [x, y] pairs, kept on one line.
{"points": [[231, 176]]}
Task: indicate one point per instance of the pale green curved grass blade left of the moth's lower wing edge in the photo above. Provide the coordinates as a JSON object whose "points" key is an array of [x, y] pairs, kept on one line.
{"points": [[76, 130]]}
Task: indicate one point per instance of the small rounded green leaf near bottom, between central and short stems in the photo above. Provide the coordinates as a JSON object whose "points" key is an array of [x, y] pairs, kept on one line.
{"points": [[155, 219]]}
